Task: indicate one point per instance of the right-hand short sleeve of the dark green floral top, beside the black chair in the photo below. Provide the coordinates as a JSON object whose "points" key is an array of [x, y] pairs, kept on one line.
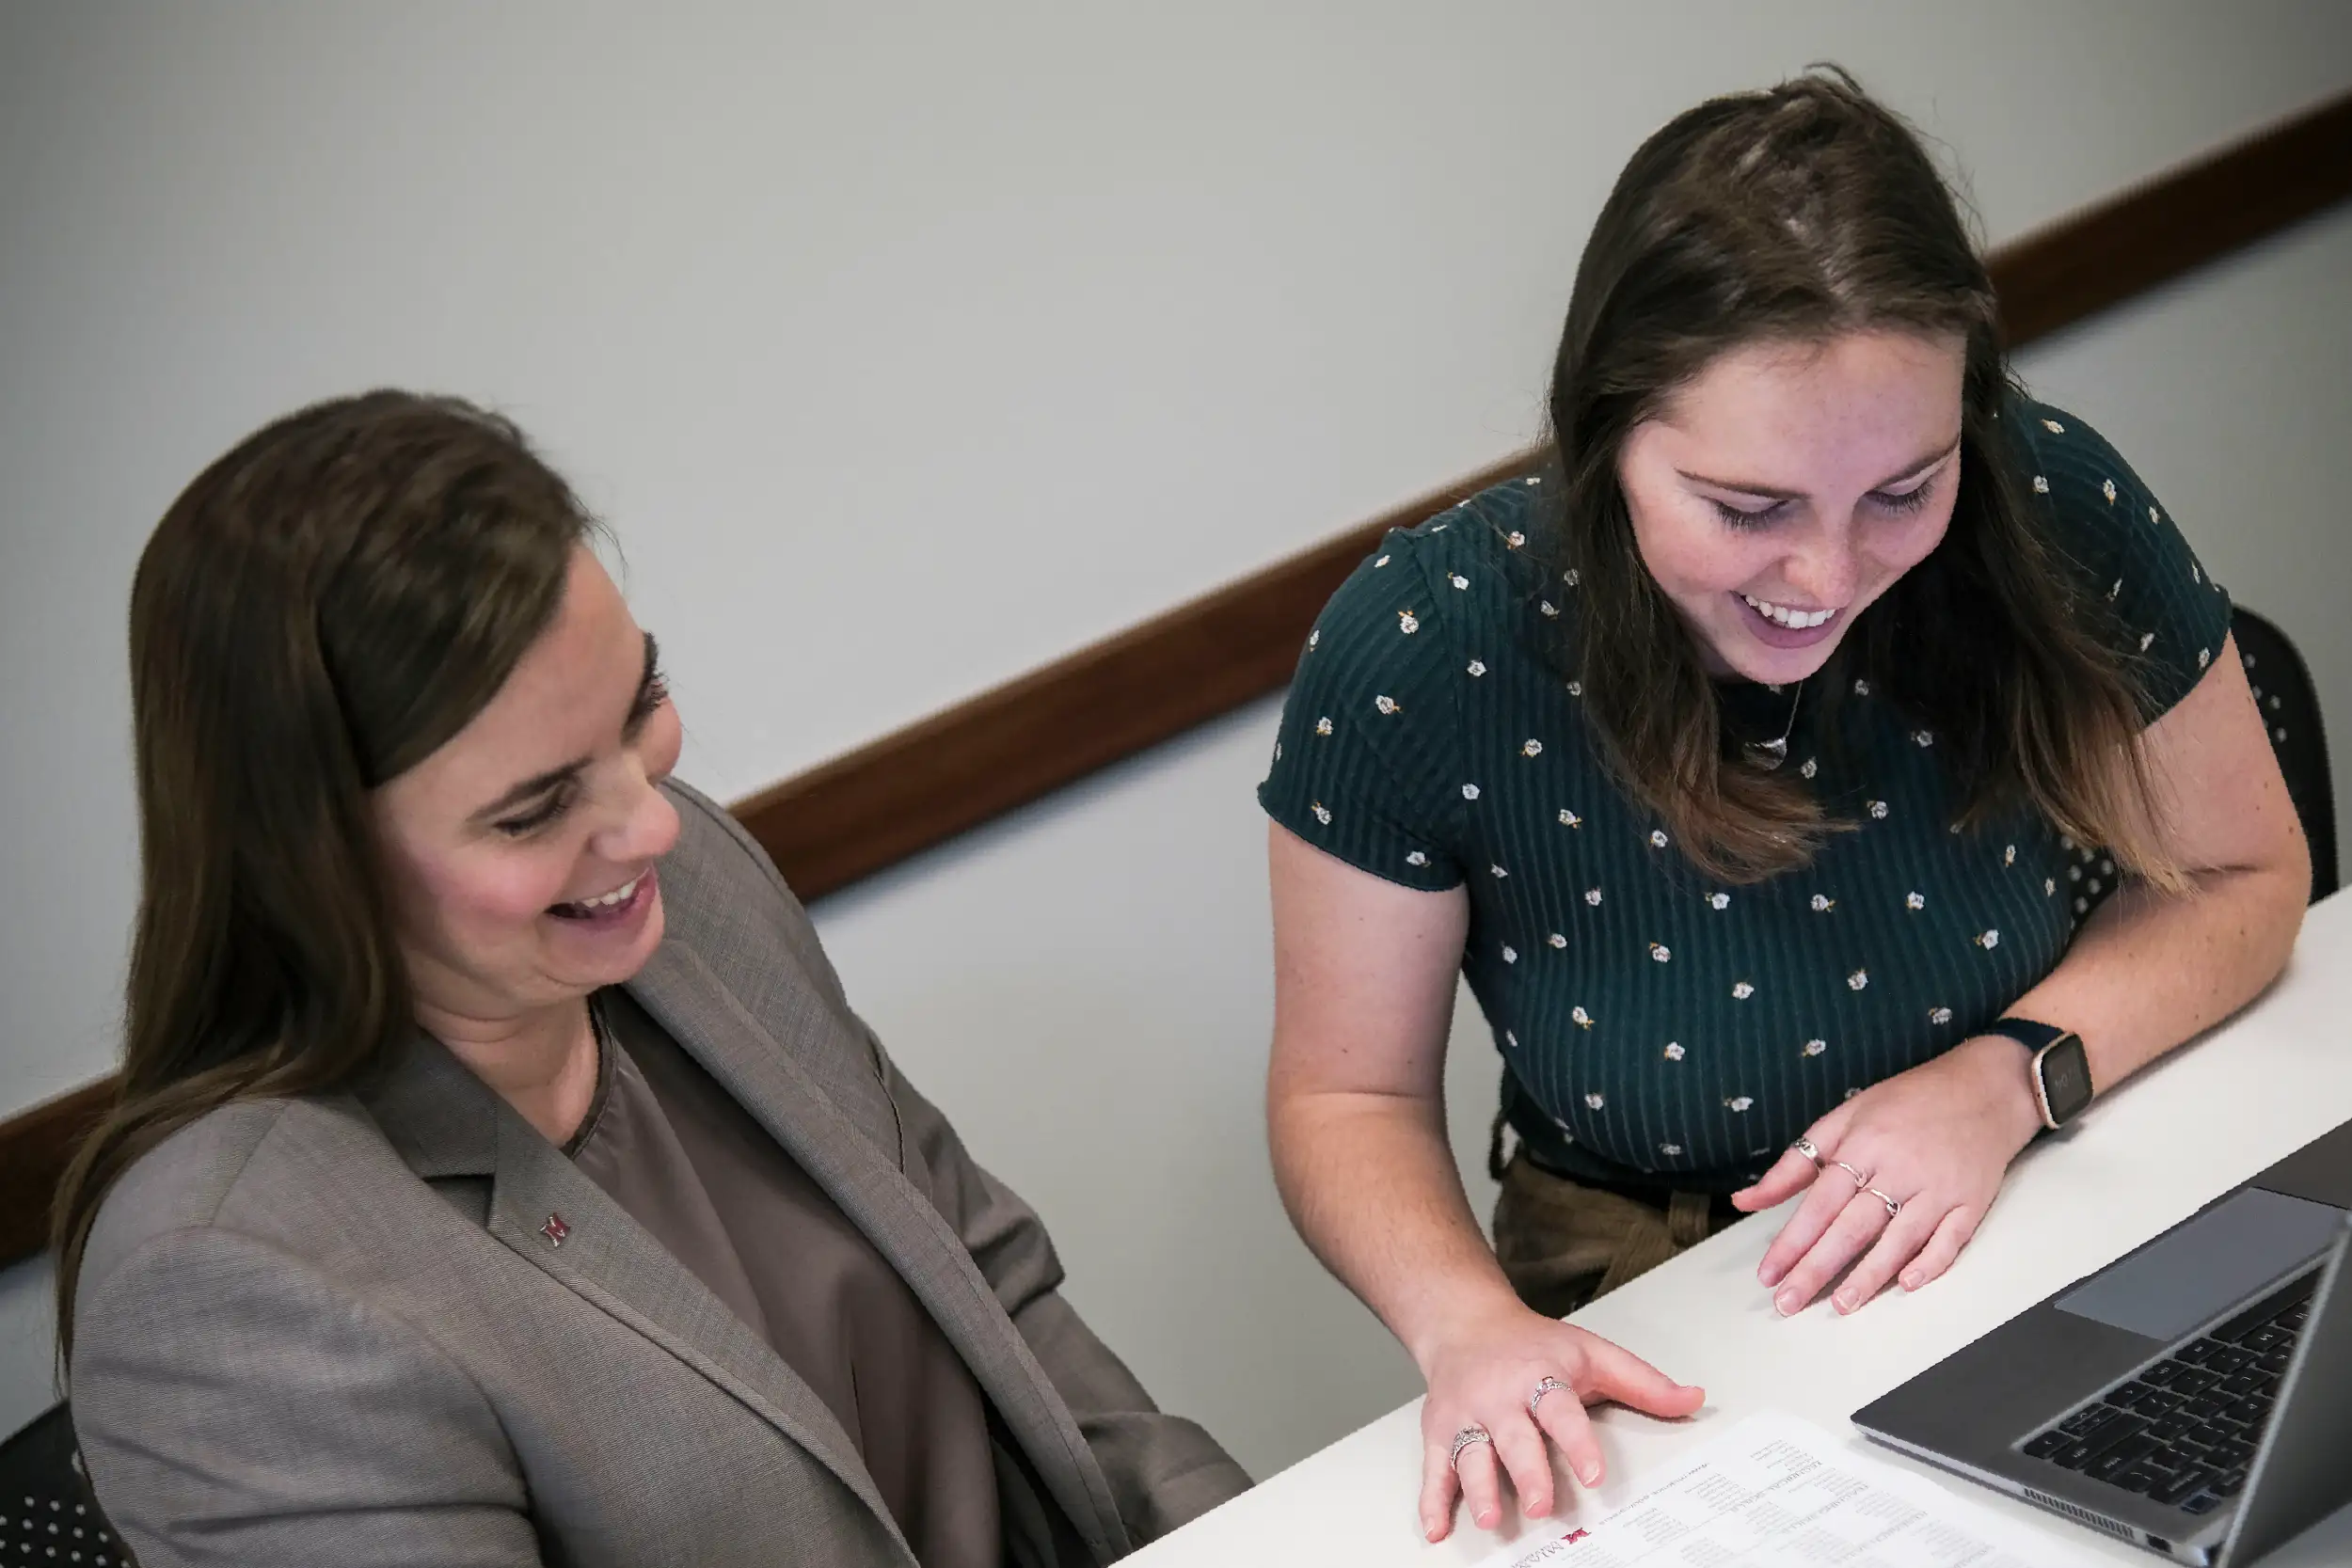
{"points": [[2170, 615]]}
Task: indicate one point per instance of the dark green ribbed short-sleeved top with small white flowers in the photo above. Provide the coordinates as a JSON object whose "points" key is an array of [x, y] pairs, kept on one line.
{"points": [[1659, 1026]]}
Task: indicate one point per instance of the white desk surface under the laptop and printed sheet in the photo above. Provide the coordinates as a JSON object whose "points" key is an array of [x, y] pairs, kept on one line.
{"points": [[2144, 1158]]}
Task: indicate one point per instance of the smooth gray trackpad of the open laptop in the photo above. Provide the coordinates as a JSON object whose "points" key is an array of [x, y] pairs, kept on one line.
{"points": [[2207, 1266]]}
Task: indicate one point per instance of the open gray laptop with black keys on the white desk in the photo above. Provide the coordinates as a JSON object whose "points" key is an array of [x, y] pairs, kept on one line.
{"points": [[2193, 1398]]}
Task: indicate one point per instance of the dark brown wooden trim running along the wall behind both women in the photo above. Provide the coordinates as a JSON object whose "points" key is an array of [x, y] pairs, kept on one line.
{"points": [[1121, 697]]}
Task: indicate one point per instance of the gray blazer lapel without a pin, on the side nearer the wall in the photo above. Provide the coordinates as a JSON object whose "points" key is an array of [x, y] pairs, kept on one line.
{"points": [[904, 1226]]}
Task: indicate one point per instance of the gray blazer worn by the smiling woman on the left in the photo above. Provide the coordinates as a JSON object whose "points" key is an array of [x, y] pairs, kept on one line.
{"points": [[345, 1329]]}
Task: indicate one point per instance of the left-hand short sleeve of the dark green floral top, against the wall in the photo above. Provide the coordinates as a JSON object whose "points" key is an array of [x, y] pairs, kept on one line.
{"points": [[1370, 730]]}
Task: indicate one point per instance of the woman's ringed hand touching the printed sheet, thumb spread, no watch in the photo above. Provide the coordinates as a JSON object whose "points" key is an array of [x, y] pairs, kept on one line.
{"points": [[1483, 1374]]}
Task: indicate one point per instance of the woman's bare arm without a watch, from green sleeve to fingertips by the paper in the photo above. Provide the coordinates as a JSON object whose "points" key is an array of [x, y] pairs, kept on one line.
{"points": [[1356, 1115]]}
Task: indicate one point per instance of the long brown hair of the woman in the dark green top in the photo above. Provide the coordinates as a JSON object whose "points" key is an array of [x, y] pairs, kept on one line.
{"points": [[1798, 215]]}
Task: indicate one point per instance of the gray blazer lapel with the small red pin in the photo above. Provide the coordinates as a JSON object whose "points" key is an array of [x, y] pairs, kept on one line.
{"points": [[448, 1123]]}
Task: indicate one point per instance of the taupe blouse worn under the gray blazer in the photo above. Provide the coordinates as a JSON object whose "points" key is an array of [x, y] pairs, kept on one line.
{"points": [[690, 1165]]}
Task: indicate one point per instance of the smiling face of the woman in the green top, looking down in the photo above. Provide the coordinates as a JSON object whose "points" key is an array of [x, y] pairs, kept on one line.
{"points": [[1791, 485]]}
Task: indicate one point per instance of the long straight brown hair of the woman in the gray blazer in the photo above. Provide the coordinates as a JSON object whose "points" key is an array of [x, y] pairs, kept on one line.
{"points": [[319, 612]]}
